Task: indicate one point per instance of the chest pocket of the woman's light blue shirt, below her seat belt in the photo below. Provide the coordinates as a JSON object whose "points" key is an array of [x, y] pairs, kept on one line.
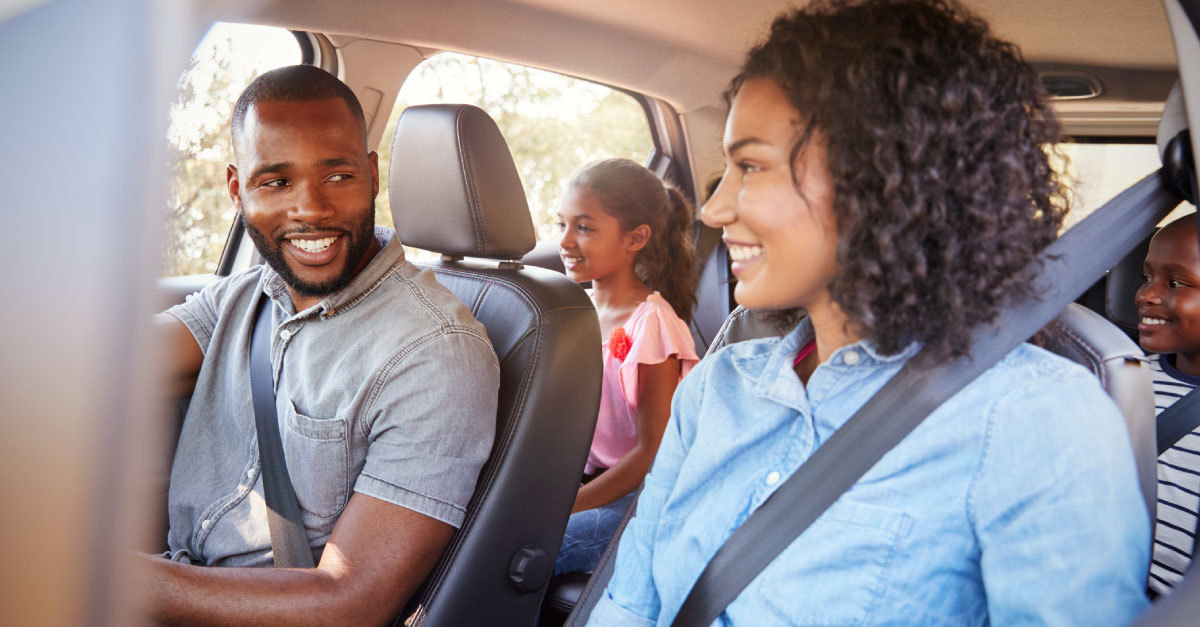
{"points": [[837, 570]]}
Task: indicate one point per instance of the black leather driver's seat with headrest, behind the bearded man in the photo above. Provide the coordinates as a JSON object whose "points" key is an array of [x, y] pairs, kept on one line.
{"points": [[455, 190]]}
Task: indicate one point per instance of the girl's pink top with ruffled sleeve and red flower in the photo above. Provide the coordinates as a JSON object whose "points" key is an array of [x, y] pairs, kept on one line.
{"points": [[656, 335]]}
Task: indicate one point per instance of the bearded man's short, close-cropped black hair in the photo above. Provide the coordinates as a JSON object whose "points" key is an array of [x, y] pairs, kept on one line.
{"points": [[295, 83]]}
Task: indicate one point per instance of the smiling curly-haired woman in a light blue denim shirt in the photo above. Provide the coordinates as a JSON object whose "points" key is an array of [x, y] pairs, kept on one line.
{"points": [[887, 174]]}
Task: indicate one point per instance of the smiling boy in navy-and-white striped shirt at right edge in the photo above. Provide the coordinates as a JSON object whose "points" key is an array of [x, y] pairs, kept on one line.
{"points": [[1169, 325]]}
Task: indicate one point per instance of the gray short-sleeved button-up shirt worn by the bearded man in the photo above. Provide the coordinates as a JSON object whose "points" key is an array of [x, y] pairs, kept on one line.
{"points": [[386, 389]]}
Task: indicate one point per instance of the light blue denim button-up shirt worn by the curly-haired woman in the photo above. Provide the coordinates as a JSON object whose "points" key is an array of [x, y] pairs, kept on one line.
{"points": [[1016, 503]]}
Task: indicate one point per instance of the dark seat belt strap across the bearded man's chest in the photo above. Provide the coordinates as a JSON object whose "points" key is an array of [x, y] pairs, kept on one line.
{"points": [[290, 544]]}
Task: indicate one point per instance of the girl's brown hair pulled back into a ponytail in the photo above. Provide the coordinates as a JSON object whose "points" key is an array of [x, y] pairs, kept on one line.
{"points": [[637, 196]]}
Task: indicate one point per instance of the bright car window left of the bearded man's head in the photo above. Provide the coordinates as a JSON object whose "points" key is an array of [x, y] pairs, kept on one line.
{"points": [[199, 208]]}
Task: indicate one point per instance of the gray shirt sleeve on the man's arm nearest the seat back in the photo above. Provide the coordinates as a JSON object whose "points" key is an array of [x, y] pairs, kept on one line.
{"points": [[431, 426]]}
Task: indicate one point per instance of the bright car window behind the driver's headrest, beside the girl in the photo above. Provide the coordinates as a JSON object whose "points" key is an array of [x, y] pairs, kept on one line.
{"points": [[553, 123]]}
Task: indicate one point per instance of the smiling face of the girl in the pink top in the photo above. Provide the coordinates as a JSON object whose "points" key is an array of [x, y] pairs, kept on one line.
{"points": [[592, 244]]}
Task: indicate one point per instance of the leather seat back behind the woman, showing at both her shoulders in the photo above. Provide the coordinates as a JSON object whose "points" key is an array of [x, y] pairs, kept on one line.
{"points": [[1079, 335]]}
